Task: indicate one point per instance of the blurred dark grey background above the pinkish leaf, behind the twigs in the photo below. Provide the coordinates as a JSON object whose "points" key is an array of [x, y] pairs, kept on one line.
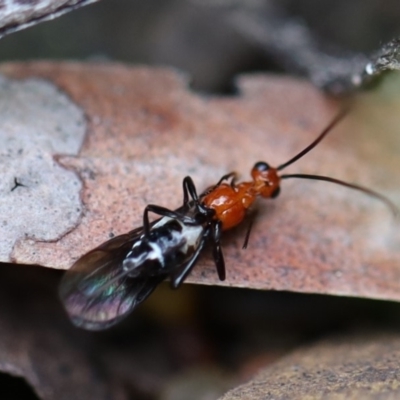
{"points": [[201, 36]]}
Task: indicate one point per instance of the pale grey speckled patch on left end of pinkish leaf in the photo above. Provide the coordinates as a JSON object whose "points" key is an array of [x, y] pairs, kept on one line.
{"points": [[37, 122]]}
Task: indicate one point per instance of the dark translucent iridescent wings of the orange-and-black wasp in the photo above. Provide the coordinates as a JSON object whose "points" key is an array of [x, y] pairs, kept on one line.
{"points": [[96, 291]]}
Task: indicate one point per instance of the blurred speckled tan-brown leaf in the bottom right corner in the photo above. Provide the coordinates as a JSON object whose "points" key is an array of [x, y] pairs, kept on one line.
{"points": [[358, 366]]}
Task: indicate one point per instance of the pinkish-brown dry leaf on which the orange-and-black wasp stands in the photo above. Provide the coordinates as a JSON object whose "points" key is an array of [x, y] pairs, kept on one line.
{"points": [[145, 131]]}
